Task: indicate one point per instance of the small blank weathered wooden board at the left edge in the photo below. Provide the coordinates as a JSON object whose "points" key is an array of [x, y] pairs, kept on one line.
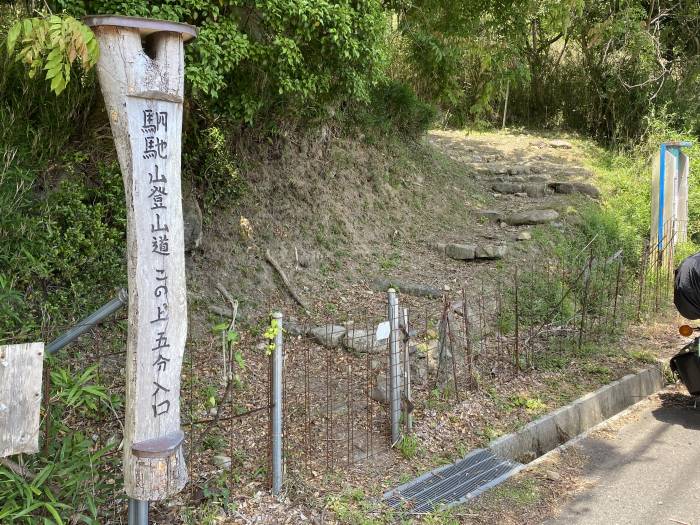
{"points": [[21, 369]]}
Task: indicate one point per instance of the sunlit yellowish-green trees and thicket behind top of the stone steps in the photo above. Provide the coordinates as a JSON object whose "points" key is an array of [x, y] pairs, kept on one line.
{"points": [[598, 67]]}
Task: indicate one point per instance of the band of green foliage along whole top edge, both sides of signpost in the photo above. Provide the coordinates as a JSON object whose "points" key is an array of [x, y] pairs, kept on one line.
{"points": [[597, 67]]}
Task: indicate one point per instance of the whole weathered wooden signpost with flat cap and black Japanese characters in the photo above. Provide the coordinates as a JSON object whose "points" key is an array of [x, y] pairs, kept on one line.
{"points": [[141, 73]]}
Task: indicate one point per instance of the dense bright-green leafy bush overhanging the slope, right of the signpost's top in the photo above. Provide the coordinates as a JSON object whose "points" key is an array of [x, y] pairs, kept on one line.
{"points": [[255, 60]]}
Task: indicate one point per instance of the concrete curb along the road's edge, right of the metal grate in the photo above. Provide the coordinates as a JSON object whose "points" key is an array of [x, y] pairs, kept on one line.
{"points": [[552, 430]]}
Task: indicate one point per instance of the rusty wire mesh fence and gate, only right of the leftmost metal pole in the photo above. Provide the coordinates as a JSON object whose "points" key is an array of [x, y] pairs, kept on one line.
{"points": [[338, 375]]}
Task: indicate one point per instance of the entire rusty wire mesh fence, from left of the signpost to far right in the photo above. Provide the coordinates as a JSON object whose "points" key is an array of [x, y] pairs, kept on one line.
{"points": [[344, 395]]}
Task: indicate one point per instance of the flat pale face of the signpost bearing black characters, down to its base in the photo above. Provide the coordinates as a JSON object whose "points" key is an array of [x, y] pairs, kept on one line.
{"points": [[154, 407]]}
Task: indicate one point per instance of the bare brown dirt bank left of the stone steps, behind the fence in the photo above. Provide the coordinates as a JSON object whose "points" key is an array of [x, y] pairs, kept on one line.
{"points": [[338, 219]]}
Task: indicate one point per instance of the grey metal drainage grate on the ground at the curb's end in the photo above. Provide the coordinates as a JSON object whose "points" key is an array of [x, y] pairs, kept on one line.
{"points": [[453, 484]]}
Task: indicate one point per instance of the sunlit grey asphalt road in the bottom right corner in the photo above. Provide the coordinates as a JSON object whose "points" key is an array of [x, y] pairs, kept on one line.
{"points": [[647, 472]]}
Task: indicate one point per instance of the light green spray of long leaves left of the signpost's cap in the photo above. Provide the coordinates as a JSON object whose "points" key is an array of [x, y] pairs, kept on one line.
{"points": [[53, 43]]}
